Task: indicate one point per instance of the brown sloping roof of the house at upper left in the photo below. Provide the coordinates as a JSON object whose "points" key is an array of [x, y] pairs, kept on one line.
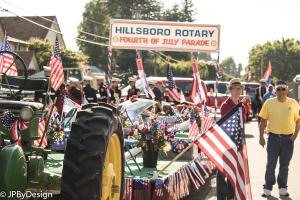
{"points": [[21, 29]]}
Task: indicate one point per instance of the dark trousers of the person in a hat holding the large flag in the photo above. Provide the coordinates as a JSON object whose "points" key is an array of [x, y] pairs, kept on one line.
{"points": [[224, 189]]}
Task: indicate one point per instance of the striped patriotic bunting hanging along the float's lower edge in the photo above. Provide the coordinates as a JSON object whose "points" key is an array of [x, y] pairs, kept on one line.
{"points": [[176, 186]]}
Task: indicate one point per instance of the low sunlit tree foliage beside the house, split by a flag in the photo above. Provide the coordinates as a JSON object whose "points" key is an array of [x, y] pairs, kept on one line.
{"points": [[43, 50]]}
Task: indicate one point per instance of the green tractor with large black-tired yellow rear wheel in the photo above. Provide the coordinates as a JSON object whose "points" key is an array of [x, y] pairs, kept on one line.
{"points": [[92, 165]]}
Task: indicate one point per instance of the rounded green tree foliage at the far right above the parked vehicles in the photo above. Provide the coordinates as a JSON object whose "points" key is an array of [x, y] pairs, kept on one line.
{"points": [[283, 54]]}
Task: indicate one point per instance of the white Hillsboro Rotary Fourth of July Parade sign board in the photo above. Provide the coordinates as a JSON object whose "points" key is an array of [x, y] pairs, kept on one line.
{"points": [[164, 36]]}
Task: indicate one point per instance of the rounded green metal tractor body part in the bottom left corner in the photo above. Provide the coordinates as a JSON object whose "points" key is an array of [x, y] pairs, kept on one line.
{"points": [[13, 169]]}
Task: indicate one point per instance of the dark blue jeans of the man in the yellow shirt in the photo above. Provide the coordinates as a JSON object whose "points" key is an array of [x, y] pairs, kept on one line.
{"points": [[281, 147]]}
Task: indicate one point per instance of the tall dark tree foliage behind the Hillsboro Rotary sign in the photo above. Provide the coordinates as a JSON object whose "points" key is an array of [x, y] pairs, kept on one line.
{"points": [[96, 18]]}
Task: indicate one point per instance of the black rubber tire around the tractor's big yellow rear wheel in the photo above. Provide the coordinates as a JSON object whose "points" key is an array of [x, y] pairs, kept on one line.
{"points": [[85, 153]]}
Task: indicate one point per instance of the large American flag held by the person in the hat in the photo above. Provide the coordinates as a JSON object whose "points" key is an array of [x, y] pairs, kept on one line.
{"points": [[224, 144]]}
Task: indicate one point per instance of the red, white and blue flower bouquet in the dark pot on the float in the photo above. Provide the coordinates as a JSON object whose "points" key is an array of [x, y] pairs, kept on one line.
{"points": [[151, 134]]}
